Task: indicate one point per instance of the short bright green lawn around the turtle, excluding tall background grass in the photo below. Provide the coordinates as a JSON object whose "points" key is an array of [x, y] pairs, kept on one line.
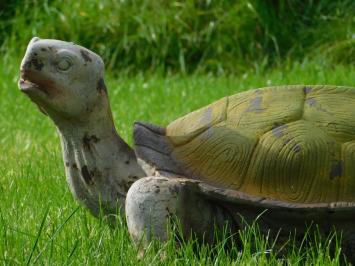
{"points": [[41, 223]]}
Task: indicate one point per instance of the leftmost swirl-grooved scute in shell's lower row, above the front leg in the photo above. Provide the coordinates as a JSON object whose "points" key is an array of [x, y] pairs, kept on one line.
{"points": [[219, 150]]}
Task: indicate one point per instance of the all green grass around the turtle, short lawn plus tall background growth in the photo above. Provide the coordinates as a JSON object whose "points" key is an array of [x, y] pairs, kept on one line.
{"points": [[164, 59]]}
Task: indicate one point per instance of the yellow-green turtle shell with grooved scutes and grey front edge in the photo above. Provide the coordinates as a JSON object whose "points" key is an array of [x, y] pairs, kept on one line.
{"points": [[290, 143]]}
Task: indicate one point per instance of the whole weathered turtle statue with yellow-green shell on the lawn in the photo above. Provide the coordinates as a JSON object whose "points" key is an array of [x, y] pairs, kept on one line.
{"points": [[287, 152]]}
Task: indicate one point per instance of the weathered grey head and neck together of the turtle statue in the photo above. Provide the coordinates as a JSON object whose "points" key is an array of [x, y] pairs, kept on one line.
{"points": [[100, 166]]}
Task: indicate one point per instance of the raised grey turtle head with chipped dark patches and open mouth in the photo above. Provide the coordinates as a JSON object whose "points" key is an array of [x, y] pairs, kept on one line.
{"points": [[65, 80]]}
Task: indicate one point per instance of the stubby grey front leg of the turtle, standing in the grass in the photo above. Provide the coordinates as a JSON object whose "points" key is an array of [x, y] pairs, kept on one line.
{"points": [[152, 201]]}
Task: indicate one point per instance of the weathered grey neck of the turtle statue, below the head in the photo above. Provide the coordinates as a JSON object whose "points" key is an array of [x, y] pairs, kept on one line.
{"points": [[100, 167]]}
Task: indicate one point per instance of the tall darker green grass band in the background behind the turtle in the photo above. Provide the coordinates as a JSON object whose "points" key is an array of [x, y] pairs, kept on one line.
{"points": [[188, 36]]}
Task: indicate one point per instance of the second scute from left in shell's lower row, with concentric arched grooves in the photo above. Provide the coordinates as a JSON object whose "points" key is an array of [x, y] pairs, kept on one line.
{"points": [[294, 166]]}
